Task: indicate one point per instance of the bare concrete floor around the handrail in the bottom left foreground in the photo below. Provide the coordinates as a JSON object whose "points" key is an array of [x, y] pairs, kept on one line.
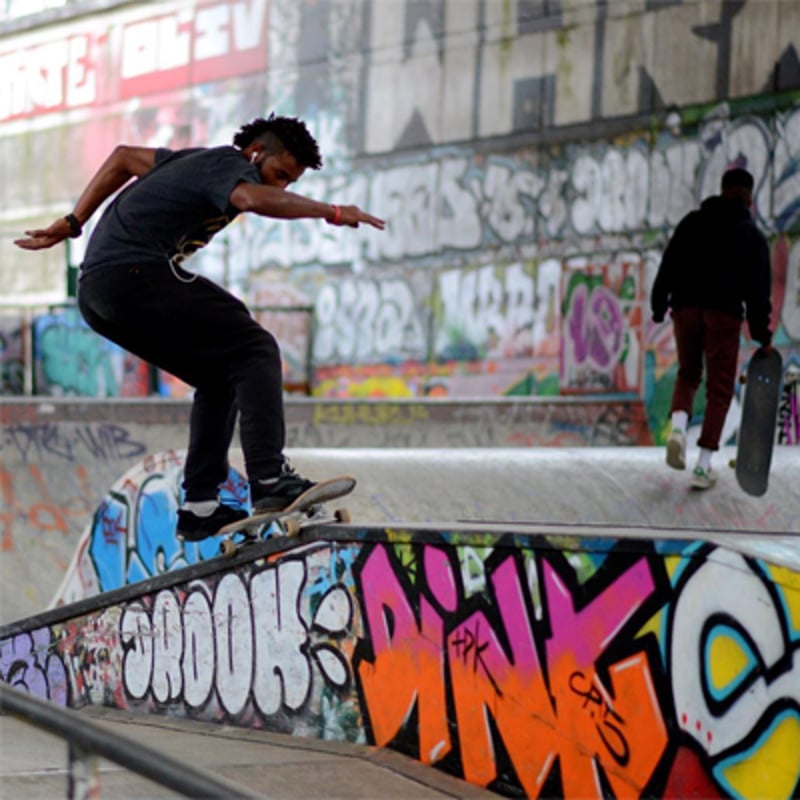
{"points": [[33, 764]]}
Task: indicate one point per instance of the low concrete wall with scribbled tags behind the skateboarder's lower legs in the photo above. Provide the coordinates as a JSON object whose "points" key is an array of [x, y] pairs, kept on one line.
{"points": [[59, 458]]}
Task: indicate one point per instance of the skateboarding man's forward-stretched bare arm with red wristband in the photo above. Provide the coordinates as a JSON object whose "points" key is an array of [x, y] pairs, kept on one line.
{"points": [[272, 201]]}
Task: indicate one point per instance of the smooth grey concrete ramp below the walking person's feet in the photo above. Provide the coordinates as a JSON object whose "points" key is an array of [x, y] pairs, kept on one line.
{"points": [[626, 487]]}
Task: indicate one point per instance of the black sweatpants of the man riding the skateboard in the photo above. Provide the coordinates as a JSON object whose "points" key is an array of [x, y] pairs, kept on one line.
{"points": [[187, 325]]}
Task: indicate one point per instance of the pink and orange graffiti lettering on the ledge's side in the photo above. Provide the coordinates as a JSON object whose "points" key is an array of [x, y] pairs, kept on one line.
{"points": [[507, 676]]}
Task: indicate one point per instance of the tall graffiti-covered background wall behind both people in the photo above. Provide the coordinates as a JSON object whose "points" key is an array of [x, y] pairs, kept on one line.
{"points": [[531, 158]]}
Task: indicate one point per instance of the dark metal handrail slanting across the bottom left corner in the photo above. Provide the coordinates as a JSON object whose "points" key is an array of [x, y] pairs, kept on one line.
{"points": [[86, 740]]}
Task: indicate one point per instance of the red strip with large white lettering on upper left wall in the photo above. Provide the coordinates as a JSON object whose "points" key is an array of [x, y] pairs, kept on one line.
{"points": [[183, 44]]}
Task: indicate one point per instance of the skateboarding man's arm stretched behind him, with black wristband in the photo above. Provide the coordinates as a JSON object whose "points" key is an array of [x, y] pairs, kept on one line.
{"points": [[124, 163]]}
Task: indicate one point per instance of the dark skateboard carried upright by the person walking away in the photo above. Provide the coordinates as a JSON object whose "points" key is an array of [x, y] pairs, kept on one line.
{"points": [[762, 387]]}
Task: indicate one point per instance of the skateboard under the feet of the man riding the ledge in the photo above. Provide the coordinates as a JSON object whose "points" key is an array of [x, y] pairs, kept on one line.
{"points": [[305, 509]]}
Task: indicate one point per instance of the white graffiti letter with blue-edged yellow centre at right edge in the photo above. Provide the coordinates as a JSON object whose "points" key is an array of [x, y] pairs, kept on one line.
{"points": [[733, 676]]}
